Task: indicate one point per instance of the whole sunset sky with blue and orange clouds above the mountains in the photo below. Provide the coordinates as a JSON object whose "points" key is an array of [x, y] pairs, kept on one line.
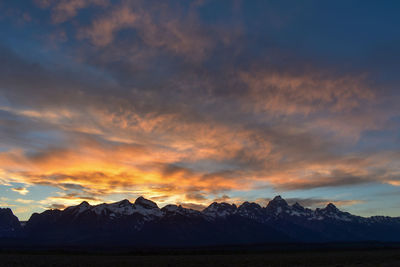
{"points": [[190, 102]]}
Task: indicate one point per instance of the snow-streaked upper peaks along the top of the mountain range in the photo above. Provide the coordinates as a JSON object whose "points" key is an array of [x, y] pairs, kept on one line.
{"points": [[277, 208]]}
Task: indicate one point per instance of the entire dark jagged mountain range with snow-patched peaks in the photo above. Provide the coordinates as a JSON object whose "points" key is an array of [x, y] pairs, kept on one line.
{"points": [[143, 223]]}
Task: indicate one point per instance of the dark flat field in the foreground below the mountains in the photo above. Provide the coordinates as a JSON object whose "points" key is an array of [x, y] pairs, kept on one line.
{"points": [[334, 258]]}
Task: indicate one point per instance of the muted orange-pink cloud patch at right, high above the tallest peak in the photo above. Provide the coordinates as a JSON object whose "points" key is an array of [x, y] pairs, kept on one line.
{"points": [[286, 93]]}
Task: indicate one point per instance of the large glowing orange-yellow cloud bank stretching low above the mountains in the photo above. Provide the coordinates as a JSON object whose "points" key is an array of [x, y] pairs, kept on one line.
{"points": [[161, 156]]}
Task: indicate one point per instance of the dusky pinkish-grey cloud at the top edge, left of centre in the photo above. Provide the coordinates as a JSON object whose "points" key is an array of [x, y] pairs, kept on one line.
{"points": [[157, 26]]}
